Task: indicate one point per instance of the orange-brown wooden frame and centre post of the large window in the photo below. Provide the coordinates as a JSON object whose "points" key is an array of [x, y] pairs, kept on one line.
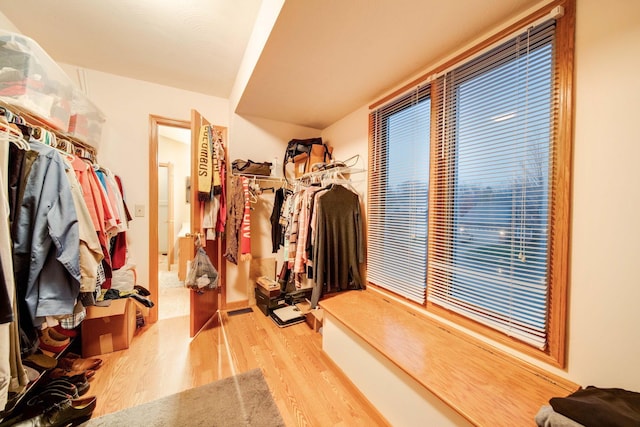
{"points": [[559, 223]]}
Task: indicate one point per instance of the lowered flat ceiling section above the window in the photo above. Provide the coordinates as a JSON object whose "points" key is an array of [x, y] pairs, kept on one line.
{"points": [[326, 58]]}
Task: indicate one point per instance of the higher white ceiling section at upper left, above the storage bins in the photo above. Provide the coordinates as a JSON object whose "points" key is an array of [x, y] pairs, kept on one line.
{"points": [[195, 45]]}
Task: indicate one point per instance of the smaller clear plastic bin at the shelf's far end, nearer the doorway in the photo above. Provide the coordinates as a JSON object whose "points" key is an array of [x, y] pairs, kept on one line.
{"points": [[86, 120]]}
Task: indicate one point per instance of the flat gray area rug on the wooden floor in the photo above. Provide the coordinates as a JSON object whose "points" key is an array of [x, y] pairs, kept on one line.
{"points": [[242, 400]]}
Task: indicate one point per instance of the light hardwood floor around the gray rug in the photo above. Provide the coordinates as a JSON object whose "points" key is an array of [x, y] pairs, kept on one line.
{"points": [[309, 389]]}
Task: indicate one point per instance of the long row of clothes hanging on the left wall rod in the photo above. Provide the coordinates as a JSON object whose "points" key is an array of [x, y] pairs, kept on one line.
{"points": [[64, 217]]}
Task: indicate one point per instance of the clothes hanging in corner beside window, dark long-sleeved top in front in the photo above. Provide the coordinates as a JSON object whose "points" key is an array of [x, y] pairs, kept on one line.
{"points": [[323, 240]]}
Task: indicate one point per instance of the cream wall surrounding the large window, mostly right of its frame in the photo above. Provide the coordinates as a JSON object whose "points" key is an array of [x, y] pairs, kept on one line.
{"points": [[604, 314]]}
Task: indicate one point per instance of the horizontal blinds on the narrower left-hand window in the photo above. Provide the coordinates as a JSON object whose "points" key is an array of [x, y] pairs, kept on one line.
{"points": [[398, 195]]}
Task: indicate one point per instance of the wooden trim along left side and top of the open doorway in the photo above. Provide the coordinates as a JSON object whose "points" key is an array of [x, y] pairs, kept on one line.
{"points": [[154, 122]]}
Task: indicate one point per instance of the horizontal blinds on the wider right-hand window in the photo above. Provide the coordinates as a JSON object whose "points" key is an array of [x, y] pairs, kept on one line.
{"points": [[490, 230]]}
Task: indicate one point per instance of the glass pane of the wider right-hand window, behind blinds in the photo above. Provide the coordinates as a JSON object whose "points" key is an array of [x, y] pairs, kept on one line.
{"points": [[501, 192]]}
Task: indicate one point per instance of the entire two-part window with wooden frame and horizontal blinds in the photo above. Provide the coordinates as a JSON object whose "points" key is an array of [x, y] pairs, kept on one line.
{"points": [[469, 182]]}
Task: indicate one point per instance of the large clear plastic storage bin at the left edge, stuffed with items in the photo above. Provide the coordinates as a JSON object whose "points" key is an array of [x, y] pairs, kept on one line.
{"points": [[32, 81]]}
